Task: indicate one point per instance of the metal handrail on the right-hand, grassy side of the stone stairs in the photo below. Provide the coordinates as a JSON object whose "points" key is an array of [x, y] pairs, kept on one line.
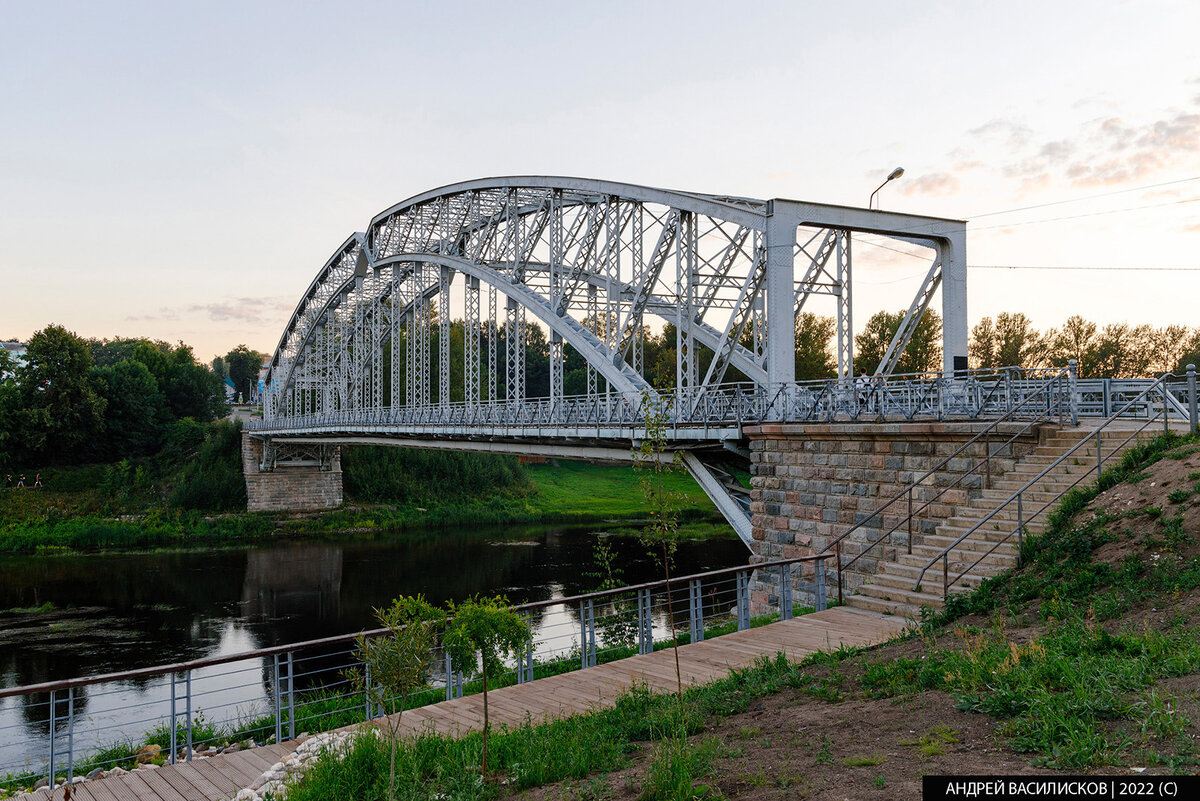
{"points": [[1022, 521]]}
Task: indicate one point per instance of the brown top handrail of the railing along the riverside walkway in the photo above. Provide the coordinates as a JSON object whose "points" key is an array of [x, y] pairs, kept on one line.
{"points": [[275, 651]]}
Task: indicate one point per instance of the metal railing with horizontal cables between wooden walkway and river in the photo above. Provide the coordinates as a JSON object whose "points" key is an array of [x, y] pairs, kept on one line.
{"points": [[67, 728]]}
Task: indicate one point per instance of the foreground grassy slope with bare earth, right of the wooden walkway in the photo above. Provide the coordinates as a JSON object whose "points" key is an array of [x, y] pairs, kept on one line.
{"points": [[1072, 657]]}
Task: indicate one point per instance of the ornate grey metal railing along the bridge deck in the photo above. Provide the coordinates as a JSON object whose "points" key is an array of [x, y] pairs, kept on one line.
{"points": [[968, 395]]}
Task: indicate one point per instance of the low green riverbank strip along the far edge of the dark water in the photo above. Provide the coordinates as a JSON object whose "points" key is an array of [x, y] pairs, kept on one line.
{"points": [[76, 511]]}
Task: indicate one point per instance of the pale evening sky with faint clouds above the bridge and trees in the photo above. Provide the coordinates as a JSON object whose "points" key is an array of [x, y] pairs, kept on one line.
{"points": [[182, 171]]}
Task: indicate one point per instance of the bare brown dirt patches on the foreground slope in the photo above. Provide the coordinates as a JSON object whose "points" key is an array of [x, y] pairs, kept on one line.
{"points": [[795, 746]]}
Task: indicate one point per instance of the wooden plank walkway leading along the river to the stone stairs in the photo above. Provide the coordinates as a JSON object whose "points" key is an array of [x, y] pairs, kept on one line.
{"points": [[581, 691]]}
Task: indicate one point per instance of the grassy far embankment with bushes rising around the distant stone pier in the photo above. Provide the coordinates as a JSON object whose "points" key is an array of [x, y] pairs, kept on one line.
{"points": [[195, 498]]}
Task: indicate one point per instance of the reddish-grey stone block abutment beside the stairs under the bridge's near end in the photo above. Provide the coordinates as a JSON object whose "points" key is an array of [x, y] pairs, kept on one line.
{"points": [[813, 483]]}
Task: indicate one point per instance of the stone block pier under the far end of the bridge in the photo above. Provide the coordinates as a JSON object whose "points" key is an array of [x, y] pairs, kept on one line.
{"points": [[292, 489]]}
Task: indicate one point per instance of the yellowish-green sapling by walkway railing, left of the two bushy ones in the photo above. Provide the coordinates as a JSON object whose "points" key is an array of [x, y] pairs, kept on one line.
{"points": [[398, 664]]}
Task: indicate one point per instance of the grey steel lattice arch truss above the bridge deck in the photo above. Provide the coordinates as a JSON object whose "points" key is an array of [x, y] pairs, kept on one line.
{"points": [[591, 267]]}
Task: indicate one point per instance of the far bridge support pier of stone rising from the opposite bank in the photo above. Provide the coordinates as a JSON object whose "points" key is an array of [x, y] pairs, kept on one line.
{"points": [[298, 479]]}
